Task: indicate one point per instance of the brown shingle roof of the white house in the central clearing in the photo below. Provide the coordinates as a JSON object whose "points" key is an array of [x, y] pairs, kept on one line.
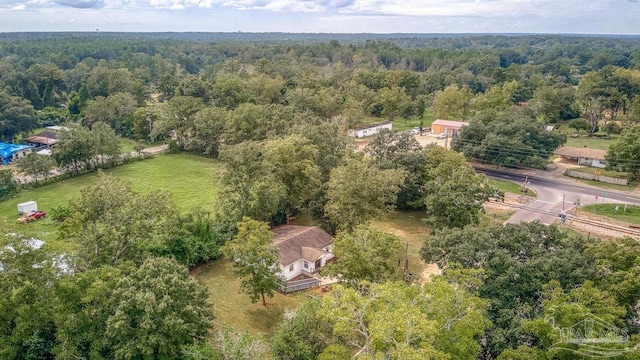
{"points": [[300, 242]]}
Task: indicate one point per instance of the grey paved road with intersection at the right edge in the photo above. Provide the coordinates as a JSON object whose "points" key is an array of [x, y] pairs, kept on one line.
{"points": [[551, 193]]}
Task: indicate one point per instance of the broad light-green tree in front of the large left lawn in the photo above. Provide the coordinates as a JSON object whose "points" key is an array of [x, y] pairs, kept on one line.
{"points": [[113, 223]]}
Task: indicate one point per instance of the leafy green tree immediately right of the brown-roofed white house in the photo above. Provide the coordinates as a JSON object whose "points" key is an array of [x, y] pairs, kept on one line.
{"points": [[363, 255]]}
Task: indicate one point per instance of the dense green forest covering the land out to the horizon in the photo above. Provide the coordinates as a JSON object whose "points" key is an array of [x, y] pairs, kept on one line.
{"points": [[274, 109]]}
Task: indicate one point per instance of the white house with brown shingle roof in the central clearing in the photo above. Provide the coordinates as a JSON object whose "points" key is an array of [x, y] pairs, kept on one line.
{"points": [[303, 250]]}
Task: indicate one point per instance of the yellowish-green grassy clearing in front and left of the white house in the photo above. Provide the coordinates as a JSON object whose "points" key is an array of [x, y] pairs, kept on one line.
{"points": [[234, 308]]}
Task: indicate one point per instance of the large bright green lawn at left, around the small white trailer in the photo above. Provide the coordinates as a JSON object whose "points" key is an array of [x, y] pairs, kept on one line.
{"points": [[189, 178]]}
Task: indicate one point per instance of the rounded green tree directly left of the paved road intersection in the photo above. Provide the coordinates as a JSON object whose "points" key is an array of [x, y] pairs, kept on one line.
{"points": [[453, 194]]}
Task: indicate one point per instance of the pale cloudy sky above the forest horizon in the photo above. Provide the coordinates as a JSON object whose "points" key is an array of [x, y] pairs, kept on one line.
{"points": [[325, 16]]}
